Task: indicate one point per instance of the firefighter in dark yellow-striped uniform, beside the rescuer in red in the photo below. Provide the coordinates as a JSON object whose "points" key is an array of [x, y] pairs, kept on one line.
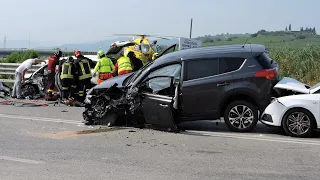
{"points": [[67, 78]]}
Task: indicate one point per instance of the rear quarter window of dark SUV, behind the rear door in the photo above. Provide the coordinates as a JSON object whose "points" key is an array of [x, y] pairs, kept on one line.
{"points": [[229, 64]]}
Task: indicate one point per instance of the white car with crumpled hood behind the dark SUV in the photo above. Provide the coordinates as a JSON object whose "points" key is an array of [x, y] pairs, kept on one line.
{"points": [[297, 111]]}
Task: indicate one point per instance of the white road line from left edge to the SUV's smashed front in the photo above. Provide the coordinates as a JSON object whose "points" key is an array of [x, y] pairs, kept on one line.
{"points": [[40, 119]]}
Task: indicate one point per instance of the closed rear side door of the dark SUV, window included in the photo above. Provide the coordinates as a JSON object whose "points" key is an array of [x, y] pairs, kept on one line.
{"points": [[203, 88]]}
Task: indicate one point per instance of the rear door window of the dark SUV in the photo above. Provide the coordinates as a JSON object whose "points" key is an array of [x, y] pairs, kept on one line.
{"points": [[200, 68]]}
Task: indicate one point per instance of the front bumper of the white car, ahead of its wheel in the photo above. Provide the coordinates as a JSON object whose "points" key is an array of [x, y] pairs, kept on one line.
{"points": [[273, 113]]}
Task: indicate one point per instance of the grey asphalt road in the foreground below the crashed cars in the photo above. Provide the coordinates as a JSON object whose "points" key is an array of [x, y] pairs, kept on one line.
{"points": [[52, 143]]}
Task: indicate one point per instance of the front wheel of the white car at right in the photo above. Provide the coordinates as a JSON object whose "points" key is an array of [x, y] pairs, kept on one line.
{"points": [[298, 123]]}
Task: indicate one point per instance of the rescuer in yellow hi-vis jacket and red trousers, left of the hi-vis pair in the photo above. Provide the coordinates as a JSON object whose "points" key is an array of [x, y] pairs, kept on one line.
{"points": [[104, 67]]}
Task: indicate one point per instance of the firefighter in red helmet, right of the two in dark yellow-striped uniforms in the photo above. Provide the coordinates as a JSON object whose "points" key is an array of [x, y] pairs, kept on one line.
{"points": [[83, 67]]}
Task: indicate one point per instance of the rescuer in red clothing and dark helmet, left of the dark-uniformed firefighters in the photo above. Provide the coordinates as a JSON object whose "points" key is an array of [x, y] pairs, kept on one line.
{"points": [[53, 61]]}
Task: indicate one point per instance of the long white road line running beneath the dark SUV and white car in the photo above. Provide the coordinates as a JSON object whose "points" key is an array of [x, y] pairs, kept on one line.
{"points": [[256, 137]]}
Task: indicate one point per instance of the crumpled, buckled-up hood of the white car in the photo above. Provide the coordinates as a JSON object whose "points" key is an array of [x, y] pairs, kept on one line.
{"points": [[293, 85]]}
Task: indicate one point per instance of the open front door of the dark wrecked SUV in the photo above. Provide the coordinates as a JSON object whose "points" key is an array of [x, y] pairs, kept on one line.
{"points": [[158, 101]]}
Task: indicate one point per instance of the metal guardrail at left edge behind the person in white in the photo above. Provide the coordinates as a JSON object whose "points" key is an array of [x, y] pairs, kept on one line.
{"points": [[10, 69]]}
